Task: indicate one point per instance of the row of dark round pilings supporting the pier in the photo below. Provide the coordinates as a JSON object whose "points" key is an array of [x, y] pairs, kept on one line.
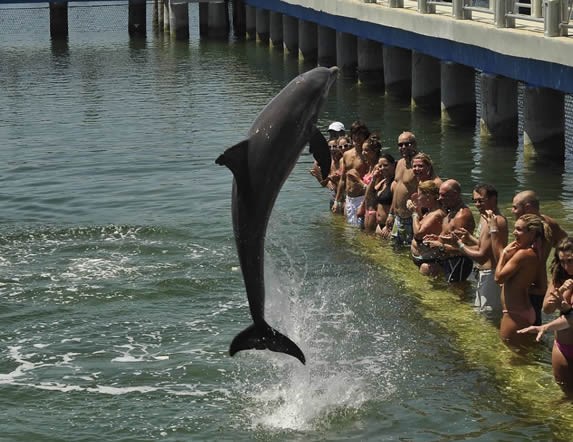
{"points": [[430, 84]]}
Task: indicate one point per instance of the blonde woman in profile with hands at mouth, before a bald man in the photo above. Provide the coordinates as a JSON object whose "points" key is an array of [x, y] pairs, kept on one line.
{"points": [[516, 270]]}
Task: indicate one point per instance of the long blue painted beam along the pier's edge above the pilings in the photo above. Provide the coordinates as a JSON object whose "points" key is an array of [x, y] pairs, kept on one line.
{"points": [[533, 72]]}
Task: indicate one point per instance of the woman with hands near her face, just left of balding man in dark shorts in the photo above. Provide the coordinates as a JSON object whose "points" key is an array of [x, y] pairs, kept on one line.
{"points": [[427, 219]]}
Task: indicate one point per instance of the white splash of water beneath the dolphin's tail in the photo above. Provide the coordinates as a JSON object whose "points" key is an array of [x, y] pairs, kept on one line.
{"points": [[283, 395]]}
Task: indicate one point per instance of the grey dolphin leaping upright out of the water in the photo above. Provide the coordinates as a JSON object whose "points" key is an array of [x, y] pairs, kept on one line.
{"points": [[260, 165]]}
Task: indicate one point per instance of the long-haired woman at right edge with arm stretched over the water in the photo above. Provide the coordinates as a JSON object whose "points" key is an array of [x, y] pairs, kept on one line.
{"points": [[559, 298]]}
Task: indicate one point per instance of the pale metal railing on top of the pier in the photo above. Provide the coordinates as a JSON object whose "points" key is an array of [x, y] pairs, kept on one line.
{"points": [[554, 16]]}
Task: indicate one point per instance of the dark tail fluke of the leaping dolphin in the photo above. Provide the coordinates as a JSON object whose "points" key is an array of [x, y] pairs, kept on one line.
{"points": [[264, 337]]}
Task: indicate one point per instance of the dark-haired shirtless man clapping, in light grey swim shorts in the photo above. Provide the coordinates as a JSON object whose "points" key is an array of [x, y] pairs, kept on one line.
{"points": [[481, 250]]}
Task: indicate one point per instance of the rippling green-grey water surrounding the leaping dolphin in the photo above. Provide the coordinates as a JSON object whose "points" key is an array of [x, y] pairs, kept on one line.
{"points": [[119, 283]]}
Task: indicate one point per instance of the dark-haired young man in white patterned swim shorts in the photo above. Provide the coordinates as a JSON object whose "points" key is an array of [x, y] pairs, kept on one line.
{"points": [[352, 159]]}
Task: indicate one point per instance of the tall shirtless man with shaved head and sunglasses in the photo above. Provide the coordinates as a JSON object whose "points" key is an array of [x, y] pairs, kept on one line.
{"points": [[399, 221]]}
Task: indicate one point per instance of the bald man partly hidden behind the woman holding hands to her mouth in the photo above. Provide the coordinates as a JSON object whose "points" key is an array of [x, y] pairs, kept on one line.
{"points": [[527, 202]]}
